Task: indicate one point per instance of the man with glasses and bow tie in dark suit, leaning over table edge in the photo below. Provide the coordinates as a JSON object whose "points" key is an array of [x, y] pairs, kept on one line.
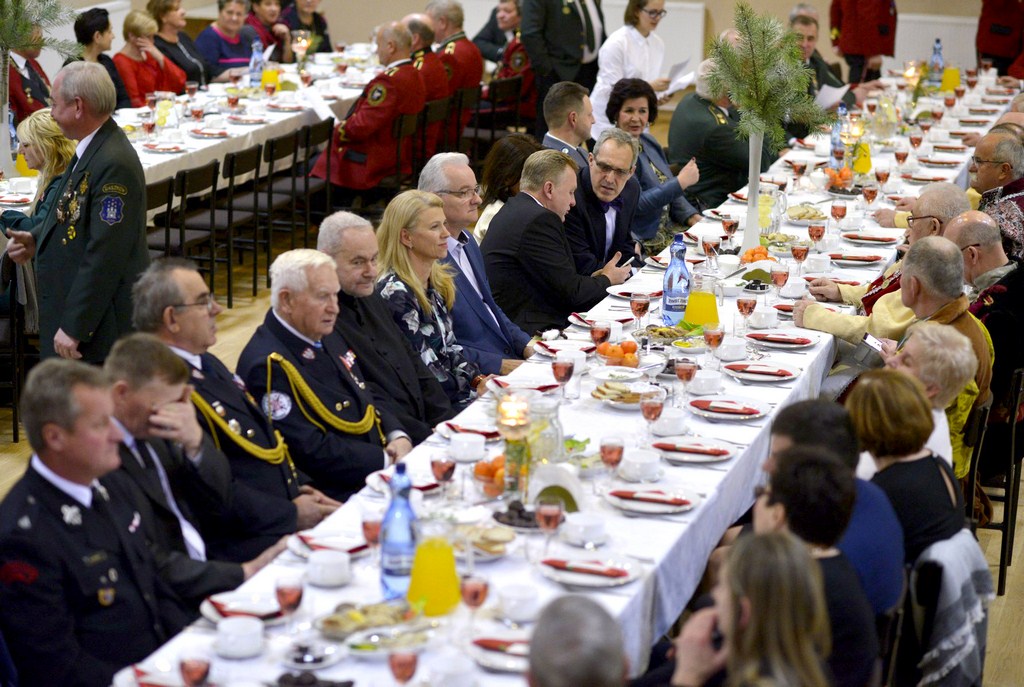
{"points": [[599, 226]]}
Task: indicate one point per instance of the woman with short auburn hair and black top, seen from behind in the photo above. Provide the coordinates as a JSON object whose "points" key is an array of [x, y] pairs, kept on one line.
{"points": [[893, 420]]}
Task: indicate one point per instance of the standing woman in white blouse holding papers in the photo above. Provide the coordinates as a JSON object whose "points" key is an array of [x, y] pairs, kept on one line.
{"points": [[631, 53]]}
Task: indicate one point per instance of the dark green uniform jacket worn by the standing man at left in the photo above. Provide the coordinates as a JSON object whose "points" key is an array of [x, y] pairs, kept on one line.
{"points": [[92, 247]]}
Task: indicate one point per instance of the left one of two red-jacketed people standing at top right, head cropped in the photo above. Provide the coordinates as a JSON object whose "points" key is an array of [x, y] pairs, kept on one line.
{"points": [[864, 31]]}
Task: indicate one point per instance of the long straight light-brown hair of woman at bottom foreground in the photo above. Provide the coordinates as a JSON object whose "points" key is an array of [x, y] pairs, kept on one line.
{"points": [[788, 634]]}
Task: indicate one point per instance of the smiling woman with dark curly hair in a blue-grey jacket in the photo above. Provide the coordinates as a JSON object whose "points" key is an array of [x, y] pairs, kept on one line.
{"points": [[632, 108]]}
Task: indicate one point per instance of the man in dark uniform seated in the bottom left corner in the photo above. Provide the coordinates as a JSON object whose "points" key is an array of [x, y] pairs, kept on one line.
{"points": [[80, 596]]}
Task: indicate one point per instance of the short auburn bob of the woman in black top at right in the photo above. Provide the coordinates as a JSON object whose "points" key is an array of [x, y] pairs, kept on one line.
{"points": [[891, 413]]}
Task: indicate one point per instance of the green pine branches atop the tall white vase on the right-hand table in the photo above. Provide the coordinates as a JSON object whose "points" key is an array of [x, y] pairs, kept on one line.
{"points": [[765, 77]]}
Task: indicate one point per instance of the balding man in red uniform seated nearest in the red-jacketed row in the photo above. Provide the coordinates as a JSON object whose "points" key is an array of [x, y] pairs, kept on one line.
{"points": [[363, 152]]}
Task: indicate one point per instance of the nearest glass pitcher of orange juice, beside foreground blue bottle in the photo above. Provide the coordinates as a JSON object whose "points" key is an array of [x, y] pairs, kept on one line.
{"points": [[435, 584]]}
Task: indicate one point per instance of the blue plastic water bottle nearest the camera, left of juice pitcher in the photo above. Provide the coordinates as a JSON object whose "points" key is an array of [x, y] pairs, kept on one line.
{"points": [[398, 538]]}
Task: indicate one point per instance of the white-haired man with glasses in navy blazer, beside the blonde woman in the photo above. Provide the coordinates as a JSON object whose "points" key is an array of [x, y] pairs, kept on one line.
{"points": [[487, 336]]}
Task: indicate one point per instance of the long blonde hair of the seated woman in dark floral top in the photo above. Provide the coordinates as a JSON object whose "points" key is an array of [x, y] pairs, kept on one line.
{"points": [[403, 213]]}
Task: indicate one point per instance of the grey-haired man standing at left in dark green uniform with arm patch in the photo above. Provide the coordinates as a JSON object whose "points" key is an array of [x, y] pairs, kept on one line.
{"points": [[92, 247]]}
